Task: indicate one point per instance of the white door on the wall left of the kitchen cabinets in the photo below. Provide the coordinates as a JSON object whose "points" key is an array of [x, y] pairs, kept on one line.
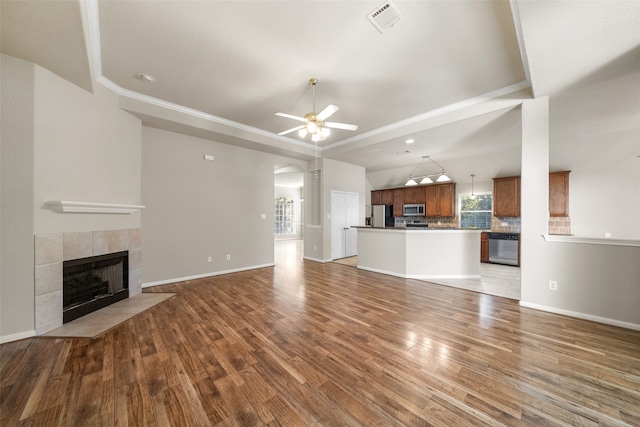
{"points": [[344, 215]]}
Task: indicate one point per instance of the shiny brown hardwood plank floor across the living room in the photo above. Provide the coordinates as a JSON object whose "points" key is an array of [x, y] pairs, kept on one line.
{"points": [[306, 343]]}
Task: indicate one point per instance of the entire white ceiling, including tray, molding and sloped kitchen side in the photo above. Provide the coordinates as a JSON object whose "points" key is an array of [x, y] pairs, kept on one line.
{"points": [[450, 74]]}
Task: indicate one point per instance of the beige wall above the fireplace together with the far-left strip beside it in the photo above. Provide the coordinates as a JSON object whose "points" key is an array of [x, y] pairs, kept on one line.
{"points": [[59, 142]]}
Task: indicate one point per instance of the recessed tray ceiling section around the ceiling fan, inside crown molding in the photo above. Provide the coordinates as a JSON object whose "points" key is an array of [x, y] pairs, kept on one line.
{"points": [[243, 61]]}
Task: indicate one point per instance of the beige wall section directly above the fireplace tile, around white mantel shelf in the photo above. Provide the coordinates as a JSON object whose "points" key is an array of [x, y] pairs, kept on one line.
{"points": [[86, 149]]}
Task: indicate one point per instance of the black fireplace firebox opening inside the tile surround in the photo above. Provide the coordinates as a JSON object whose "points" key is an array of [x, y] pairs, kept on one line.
{"points": [[92, 283]]}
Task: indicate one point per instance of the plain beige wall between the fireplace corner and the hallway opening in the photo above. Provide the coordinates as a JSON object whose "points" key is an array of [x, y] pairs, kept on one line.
{"points": [[197, 208]]}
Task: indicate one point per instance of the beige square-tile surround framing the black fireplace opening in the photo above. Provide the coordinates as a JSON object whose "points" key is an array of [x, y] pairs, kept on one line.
{"points": [[52, 249]]}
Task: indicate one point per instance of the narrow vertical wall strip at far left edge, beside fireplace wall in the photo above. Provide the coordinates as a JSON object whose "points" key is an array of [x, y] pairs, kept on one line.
{"points": [[17, 314]]}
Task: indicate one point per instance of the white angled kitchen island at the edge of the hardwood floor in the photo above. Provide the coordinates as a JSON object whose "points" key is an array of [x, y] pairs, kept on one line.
{"points": [[426, 253]]}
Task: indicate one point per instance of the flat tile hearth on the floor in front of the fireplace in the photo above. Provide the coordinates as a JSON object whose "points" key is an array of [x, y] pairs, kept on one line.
{"points": [[94, 324]]}
